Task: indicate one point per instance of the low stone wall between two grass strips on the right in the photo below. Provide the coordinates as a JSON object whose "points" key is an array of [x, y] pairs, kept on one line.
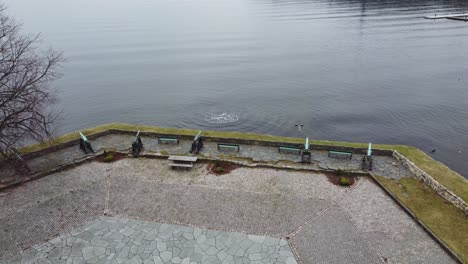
{"points": [[429, 180]]}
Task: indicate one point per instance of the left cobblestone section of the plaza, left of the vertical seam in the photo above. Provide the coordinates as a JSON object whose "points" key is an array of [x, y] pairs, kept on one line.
{"points": [[41, 209]]}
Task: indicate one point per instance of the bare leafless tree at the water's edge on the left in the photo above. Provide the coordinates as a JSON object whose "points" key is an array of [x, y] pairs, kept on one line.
{"points": [[25, 96]]}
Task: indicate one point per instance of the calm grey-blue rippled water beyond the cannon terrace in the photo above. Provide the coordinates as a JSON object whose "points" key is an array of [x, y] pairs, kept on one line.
{"points": [[354, 70]]}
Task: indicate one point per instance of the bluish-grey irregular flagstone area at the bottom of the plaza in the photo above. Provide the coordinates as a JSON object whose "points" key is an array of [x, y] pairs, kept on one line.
{"points": [[116, 240]]}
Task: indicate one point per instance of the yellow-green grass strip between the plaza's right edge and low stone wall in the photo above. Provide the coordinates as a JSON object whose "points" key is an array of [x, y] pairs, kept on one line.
{"points": [[445, 220]]}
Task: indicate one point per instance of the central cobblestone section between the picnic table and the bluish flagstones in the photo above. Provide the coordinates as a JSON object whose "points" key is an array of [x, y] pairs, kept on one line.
{"points": [[202, 200]]}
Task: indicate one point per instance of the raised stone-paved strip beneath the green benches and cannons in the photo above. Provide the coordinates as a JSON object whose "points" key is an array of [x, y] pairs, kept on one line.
{"points": [[384, 166]]}
